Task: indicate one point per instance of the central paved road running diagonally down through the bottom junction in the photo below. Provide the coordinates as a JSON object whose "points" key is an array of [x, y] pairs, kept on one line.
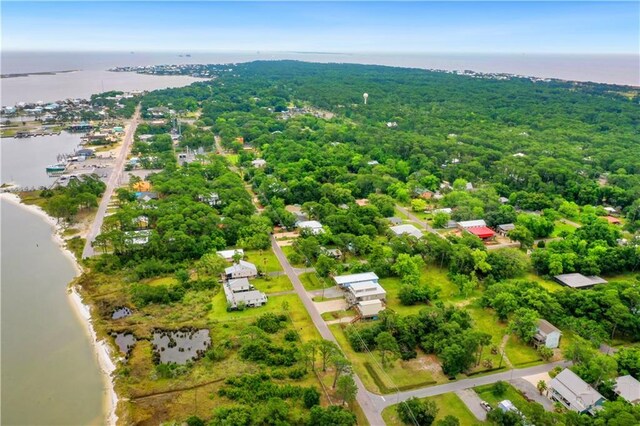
{"points": [[371, 411]]}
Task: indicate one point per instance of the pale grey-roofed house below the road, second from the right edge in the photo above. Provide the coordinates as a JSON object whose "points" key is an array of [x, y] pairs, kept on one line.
{"points": [[574, 393]]}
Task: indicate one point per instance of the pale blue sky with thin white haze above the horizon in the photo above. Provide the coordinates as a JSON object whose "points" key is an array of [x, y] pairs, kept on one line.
{"points": [[401, 27]]}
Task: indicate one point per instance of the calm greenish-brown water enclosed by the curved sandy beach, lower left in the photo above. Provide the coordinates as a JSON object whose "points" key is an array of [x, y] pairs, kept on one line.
{"points": [[50, 375]]}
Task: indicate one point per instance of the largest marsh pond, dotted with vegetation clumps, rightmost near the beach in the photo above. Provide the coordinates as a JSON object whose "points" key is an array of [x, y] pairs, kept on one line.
{"points": [[180, 346]]}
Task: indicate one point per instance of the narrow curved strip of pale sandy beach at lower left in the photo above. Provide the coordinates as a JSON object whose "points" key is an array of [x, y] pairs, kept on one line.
{"points": [[83, 311]]}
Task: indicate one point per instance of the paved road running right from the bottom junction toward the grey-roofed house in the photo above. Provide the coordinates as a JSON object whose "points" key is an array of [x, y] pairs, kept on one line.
{"points": [[383, 402]]}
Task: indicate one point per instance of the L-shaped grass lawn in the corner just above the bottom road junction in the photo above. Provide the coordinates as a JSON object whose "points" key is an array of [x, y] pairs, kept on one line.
{"points": [[405, 374]]}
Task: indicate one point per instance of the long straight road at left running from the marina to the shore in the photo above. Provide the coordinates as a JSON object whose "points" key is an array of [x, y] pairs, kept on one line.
{"points": [[112, 184]]}
